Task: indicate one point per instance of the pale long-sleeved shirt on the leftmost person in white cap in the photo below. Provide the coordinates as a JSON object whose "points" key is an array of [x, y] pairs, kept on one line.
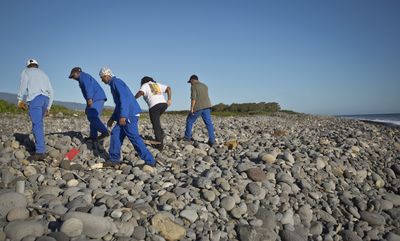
{"points": [[35, 82]]}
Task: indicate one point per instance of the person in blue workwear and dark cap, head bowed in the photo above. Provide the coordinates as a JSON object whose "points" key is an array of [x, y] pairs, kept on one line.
{"points": [[95, 98]]}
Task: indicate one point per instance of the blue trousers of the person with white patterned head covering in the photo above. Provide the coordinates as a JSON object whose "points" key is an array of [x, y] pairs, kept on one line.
{"points": [[131, 131]]}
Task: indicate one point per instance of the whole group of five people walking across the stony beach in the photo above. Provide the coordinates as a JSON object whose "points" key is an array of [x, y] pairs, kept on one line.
{"points": [[36, 90]]}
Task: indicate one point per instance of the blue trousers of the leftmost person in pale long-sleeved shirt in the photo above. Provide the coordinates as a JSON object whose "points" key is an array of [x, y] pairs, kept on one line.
{"points": [[37, 111]]}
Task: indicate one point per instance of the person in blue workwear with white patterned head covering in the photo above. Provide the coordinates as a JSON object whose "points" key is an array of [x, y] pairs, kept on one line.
{"points": [[126, 114]]}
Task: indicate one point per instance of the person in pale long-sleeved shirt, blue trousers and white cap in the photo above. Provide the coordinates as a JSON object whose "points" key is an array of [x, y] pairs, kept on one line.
{"points": [[36, 88]]}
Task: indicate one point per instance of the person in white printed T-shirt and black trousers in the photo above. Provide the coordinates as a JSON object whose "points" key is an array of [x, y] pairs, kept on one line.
{"points": [[153, 94]]}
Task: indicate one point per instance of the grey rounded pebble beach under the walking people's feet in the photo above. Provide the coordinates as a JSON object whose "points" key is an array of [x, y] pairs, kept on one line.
{"points": [[283, 178]]}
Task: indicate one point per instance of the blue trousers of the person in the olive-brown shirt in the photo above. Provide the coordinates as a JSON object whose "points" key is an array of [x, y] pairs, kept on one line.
{"points": [[206, 116]]}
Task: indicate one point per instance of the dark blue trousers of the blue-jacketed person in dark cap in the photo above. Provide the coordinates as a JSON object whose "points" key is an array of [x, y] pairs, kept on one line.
{"points": [[93, 114]]}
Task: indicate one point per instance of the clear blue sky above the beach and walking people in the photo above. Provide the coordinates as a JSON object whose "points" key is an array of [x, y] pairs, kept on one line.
{"points": [[320, 57]]}
